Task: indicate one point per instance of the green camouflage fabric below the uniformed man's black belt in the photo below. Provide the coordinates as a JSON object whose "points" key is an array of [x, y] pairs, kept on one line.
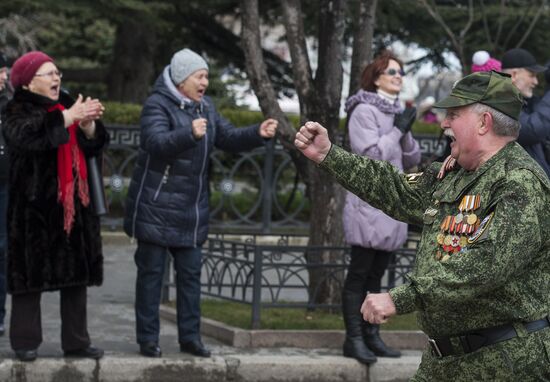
{"points": [[523, 358]]}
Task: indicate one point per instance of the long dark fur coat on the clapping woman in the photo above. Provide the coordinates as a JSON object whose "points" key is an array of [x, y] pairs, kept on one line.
{"points": [[41, 256]]}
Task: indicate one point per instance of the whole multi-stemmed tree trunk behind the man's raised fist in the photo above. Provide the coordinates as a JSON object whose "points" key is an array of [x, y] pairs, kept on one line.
{"points": [[320, 100]]}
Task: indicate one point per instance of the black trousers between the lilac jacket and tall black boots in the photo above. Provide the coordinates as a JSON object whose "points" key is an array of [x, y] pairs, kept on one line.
{"points": [[365, 270]]}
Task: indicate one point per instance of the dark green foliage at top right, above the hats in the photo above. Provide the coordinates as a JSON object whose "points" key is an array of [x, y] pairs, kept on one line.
{"points": [[506, 24]]}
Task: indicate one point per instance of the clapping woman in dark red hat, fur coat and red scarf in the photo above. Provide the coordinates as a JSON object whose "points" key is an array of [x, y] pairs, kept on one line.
{"points": [[54, 240]]}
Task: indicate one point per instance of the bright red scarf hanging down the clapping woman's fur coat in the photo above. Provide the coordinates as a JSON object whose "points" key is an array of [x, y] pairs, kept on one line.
{"points": [[69, 156]]}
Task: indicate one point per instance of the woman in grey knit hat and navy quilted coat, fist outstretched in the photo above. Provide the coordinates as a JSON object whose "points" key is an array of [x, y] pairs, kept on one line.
{"points": [[167, 204]]}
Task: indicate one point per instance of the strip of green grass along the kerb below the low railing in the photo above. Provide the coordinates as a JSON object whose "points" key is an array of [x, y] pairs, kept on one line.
{"points": [[239, 315]]}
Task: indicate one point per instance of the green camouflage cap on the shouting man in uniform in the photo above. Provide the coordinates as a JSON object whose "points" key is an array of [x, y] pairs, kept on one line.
{"points": [[493, 89]]}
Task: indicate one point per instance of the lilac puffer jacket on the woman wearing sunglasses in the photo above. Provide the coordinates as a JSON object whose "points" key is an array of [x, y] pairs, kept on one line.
{"points": [[373, 134]]}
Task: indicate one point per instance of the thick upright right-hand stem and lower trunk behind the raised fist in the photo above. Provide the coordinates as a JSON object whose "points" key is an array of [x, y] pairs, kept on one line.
{"points": [[326, 195]]}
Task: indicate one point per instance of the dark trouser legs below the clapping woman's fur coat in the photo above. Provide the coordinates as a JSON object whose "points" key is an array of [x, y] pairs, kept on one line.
{"points": [[26, 320]]}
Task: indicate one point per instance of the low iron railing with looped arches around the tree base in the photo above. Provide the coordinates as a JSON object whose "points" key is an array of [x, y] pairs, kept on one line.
{"points": [[278, 275]]}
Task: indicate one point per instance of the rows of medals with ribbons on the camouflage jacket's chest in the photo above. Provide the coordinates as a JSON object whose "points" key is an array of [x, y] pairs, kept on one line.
{"points": [[455, 228]]}
